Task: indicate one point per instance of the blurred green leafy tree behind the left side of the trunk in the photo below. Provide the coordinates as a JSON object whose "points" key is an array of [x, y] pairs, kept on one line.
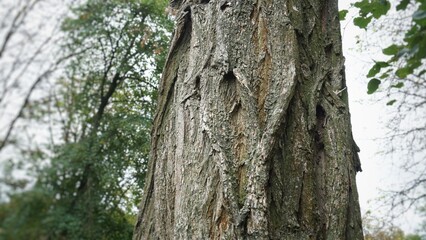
{"points": [[91, 181]]}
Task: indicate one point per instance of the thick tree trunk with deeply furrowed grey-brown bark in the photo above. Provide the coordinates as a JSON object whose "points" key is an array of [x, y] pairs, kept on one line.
{"points": [[252, 137]]}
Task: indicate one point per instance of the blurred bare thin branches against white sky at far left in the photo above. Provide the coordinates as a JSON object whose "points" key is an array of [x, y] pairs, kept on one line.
{"points": [[28, 57]]}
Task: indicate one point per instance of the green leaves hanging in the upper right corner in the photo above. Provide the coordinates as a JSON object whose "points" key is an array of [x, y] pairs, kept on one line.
{"points": [[405, 58]]}
